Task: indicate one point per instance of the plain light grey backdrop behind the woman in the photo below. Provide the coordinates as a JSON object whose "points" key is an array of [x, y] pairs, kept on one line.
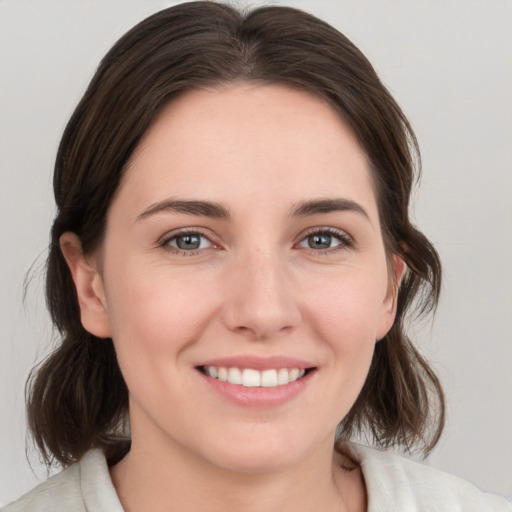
{"points": [[448, 63]]}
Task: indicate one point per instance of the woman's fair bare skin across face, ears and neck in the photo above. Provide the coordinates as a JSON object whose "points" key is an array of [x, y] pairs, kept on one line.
{"points": [[255, 286]]}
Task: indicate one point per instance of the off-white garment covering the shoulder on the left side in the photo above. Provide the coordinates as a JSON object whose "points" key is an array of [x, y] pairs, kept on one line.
{"points": [[83, 486]]}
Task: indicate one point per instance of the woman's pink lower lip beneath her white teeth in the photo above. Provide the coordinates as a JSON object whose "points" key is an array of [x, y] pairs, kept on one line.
{"points": [[259, 396]]}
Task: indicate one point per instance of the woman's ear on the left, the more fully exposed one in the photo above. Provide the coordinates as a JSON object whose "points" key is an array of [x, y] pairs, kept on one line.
{"points": [[88, 285]]}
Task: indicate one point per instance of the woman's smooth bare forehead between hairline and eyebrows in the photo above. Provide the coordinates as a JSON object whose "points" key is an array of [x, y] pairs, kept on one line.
{"points": [[244, 139]]}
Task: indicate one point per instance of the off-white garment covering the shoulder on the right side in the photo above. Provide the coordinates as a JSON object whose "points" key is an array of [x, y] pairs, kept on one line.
{"points": [[397, 483]]}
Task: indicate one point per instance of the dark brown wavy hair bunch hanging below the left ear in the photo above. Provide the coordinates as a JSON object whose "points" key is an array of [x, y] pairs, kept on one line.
{"points": [[77, 400]]}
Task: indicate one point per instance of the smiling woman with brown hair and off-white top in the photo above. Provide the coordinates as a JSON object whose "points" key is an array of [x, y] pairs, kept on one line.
{"points": [[230, 268]]}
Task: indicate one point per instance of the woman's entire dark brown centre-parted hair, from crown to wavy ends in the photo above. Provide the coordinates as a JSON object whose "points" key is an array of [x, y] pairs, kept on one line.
{"points": [[77, 398]]}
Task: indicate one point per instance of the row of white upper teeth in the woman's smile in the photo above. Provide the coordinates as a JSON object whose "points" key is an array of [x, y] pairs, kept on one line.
{"points": [[254, 378]]}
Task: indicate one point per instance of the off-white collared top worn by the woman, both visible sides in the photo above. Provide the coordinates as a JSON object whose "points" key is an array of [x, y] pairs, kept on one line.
{"points": [[394, 484]]}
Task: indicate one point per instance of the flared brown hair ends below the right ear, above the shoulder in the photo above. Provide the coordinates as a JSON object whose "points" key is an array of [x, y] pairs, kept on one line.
{"points": [[402, 401]]}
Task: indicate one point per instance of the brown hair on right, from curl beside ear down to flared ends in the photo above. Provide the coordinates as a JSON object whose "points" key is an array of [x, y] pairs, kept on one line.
{"points": [[402, 401]]}
